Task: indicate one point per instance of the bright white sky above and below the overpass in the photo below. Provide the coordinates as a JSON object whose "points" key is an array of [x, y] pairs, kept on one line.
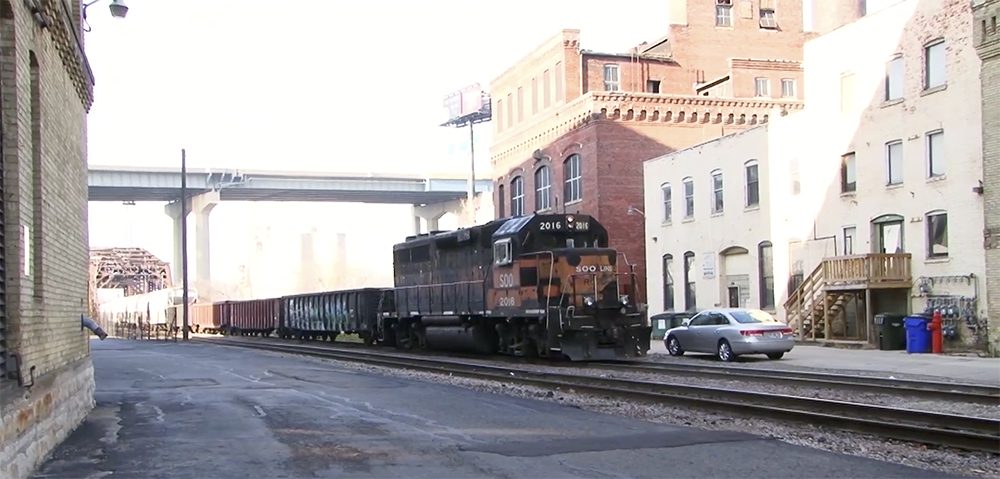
{"points": [[309, 85]]}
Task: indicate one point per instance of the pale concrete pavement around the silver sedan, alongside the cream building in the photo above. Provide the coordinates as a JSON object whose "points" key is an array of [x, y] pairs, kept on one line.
{"points": [[897, 364]]}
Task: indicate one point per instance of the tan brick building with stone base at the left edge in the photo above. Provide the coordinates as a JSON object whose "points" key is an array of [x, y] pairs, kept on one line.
{"points": [[46, 376]]}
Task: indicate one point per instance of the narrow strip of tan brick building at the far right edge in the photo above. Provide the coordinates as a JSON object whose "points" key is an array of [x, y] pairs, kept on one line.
{"points": [[987, 41]]}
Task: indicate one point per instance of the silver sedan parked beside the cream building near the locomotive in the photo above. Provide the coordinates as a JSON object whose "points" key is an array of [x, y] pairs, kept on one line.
{"points": [[729, 333]]}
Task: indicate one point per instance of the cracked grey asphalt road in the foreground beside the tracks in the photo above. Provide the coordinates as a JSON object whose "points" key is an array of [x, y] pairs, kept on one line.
{"points": [[179, 411]]}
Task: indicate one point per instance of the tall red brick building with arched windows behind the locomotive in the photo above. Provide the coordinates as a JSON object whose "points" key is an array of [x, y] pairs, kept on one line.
{"points": [[572, 126]]}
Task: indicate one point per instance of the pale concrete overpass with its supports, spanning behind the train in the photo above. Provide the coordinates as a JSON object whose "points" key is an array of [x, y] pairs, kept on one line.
{"points": [[431, 196]]}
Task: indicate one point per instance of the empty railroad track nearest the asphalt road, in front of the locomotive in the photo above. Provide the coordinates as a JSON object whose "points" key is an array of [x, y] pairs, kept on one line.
{"points": [[962, 432]]}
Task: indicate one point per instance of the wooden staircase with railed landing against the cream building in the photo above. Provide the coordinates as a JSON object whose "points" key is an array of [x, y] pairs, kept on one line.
{"points": [[824, 293]]}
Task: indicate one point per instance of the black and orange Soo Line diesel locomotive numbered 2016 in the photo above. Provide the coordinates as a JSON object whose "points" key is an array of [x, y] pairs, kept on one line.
{"points": [[539, 285]]}
